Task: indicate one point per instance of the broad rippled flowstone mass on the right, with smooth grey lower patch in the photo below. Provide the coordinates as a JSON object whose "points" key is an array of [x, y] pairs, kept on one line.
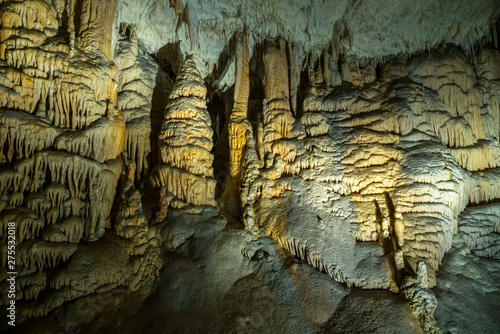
{"points": [[396, 163]]}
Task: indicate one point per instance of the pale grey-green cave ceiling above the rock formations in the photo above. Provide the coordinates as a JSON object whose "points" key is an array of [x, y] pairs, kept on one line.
{"points": [[349, 27]]}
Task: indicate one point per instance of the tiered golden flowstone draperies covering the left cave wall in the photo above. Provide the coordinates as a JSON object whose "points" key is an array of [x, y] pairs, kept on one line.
{"points": [[68, 102]]}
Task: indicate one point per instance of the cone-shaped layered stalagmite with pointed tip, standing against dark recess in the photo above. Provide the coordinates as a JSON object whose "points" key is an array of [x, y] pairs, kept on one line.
{"points": [[185, 142]]}
